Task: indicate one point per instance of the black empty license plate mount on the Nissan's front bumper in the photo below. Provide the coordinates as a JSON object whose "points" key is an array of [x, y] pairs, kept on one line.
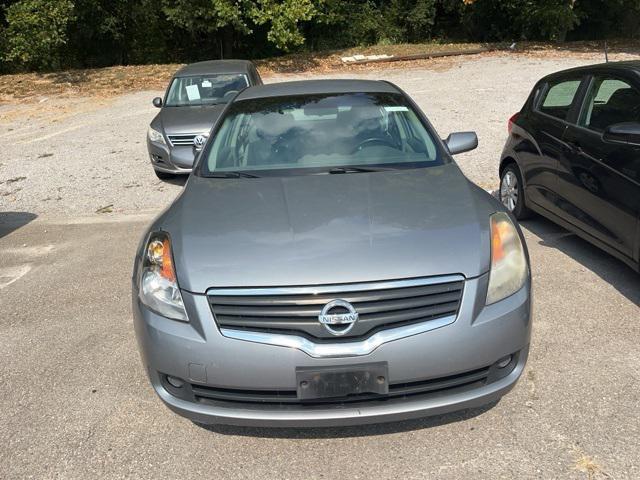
{"points": [[341, 381]]}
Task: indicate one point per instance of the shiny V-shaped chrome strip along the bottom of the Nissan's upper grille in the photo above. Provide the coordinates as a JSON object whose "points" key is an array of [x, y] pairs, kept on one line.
{"points": [[329, 350]]}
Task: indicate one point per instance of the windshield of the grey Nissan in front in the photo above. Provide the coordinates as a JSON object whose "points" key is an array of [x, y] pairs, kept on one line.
{"points": [[326, 133]]}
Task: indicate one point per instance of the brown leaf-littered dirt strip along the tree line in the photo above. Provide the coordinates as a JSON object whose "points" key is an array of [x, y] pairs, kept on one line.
{"points": [[112, 81]]}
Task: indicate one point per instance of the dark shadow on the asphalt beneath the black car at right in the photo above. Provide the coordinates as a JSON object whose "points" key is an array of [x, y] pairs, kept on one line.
{"points": [[610, 269]]}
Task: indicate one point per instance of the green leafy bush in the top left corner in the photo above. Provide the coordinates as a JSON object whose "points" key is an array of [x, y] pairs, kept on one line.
{"points": [[36, 32]]}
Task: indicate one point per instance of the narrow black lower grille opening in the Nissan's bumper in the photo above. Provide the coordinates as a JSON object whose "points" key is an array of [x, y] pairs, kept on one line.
{"points": [[432, 386]]}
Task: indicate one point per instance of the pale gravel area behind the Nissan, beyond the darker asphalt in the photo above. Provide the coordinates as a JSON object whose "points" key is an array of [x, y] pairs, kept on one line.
{"points": [[74, 156]]}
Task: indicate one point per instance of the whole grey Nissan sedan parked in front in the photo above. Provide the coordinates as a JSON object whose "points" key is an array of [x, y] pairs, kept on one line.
{"points": [[327, 263]]}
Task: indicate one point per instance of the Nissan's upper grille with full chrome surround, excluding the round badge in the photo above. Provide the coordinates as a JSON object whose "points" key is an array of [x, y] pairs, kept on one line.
{"points": [[288, 316]]}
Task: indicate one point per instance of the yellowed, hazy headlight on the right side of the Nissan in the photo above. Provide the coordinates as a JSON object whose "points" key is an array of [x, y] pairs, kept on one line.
{"points": [[509, 267]]}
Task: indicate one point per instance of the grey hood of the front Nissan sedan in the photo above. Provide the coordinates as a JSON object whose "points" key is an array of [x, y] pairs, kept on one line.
{"points": [[328, 229]]}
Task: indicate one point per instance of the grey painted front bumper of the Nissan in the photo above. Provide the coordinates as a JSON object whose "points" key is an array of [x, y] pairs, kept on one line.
{"points": [[198, 353]]}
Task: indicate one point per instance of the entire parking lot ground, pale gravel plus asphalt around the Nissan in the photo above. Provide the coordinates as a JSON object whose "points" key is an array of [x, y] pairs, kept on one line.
{"points": [[75, 400]]}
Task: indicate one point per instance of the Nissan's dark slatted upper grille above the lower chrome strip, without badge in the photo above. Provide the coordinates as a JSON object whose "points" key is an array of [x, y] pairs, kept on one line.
{"points": [[295, 310]]}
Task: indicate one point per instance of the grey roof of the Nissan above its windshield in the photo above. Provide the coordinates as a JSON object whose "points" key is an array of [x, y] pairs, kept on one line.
{"points": [[314, 87]]}
